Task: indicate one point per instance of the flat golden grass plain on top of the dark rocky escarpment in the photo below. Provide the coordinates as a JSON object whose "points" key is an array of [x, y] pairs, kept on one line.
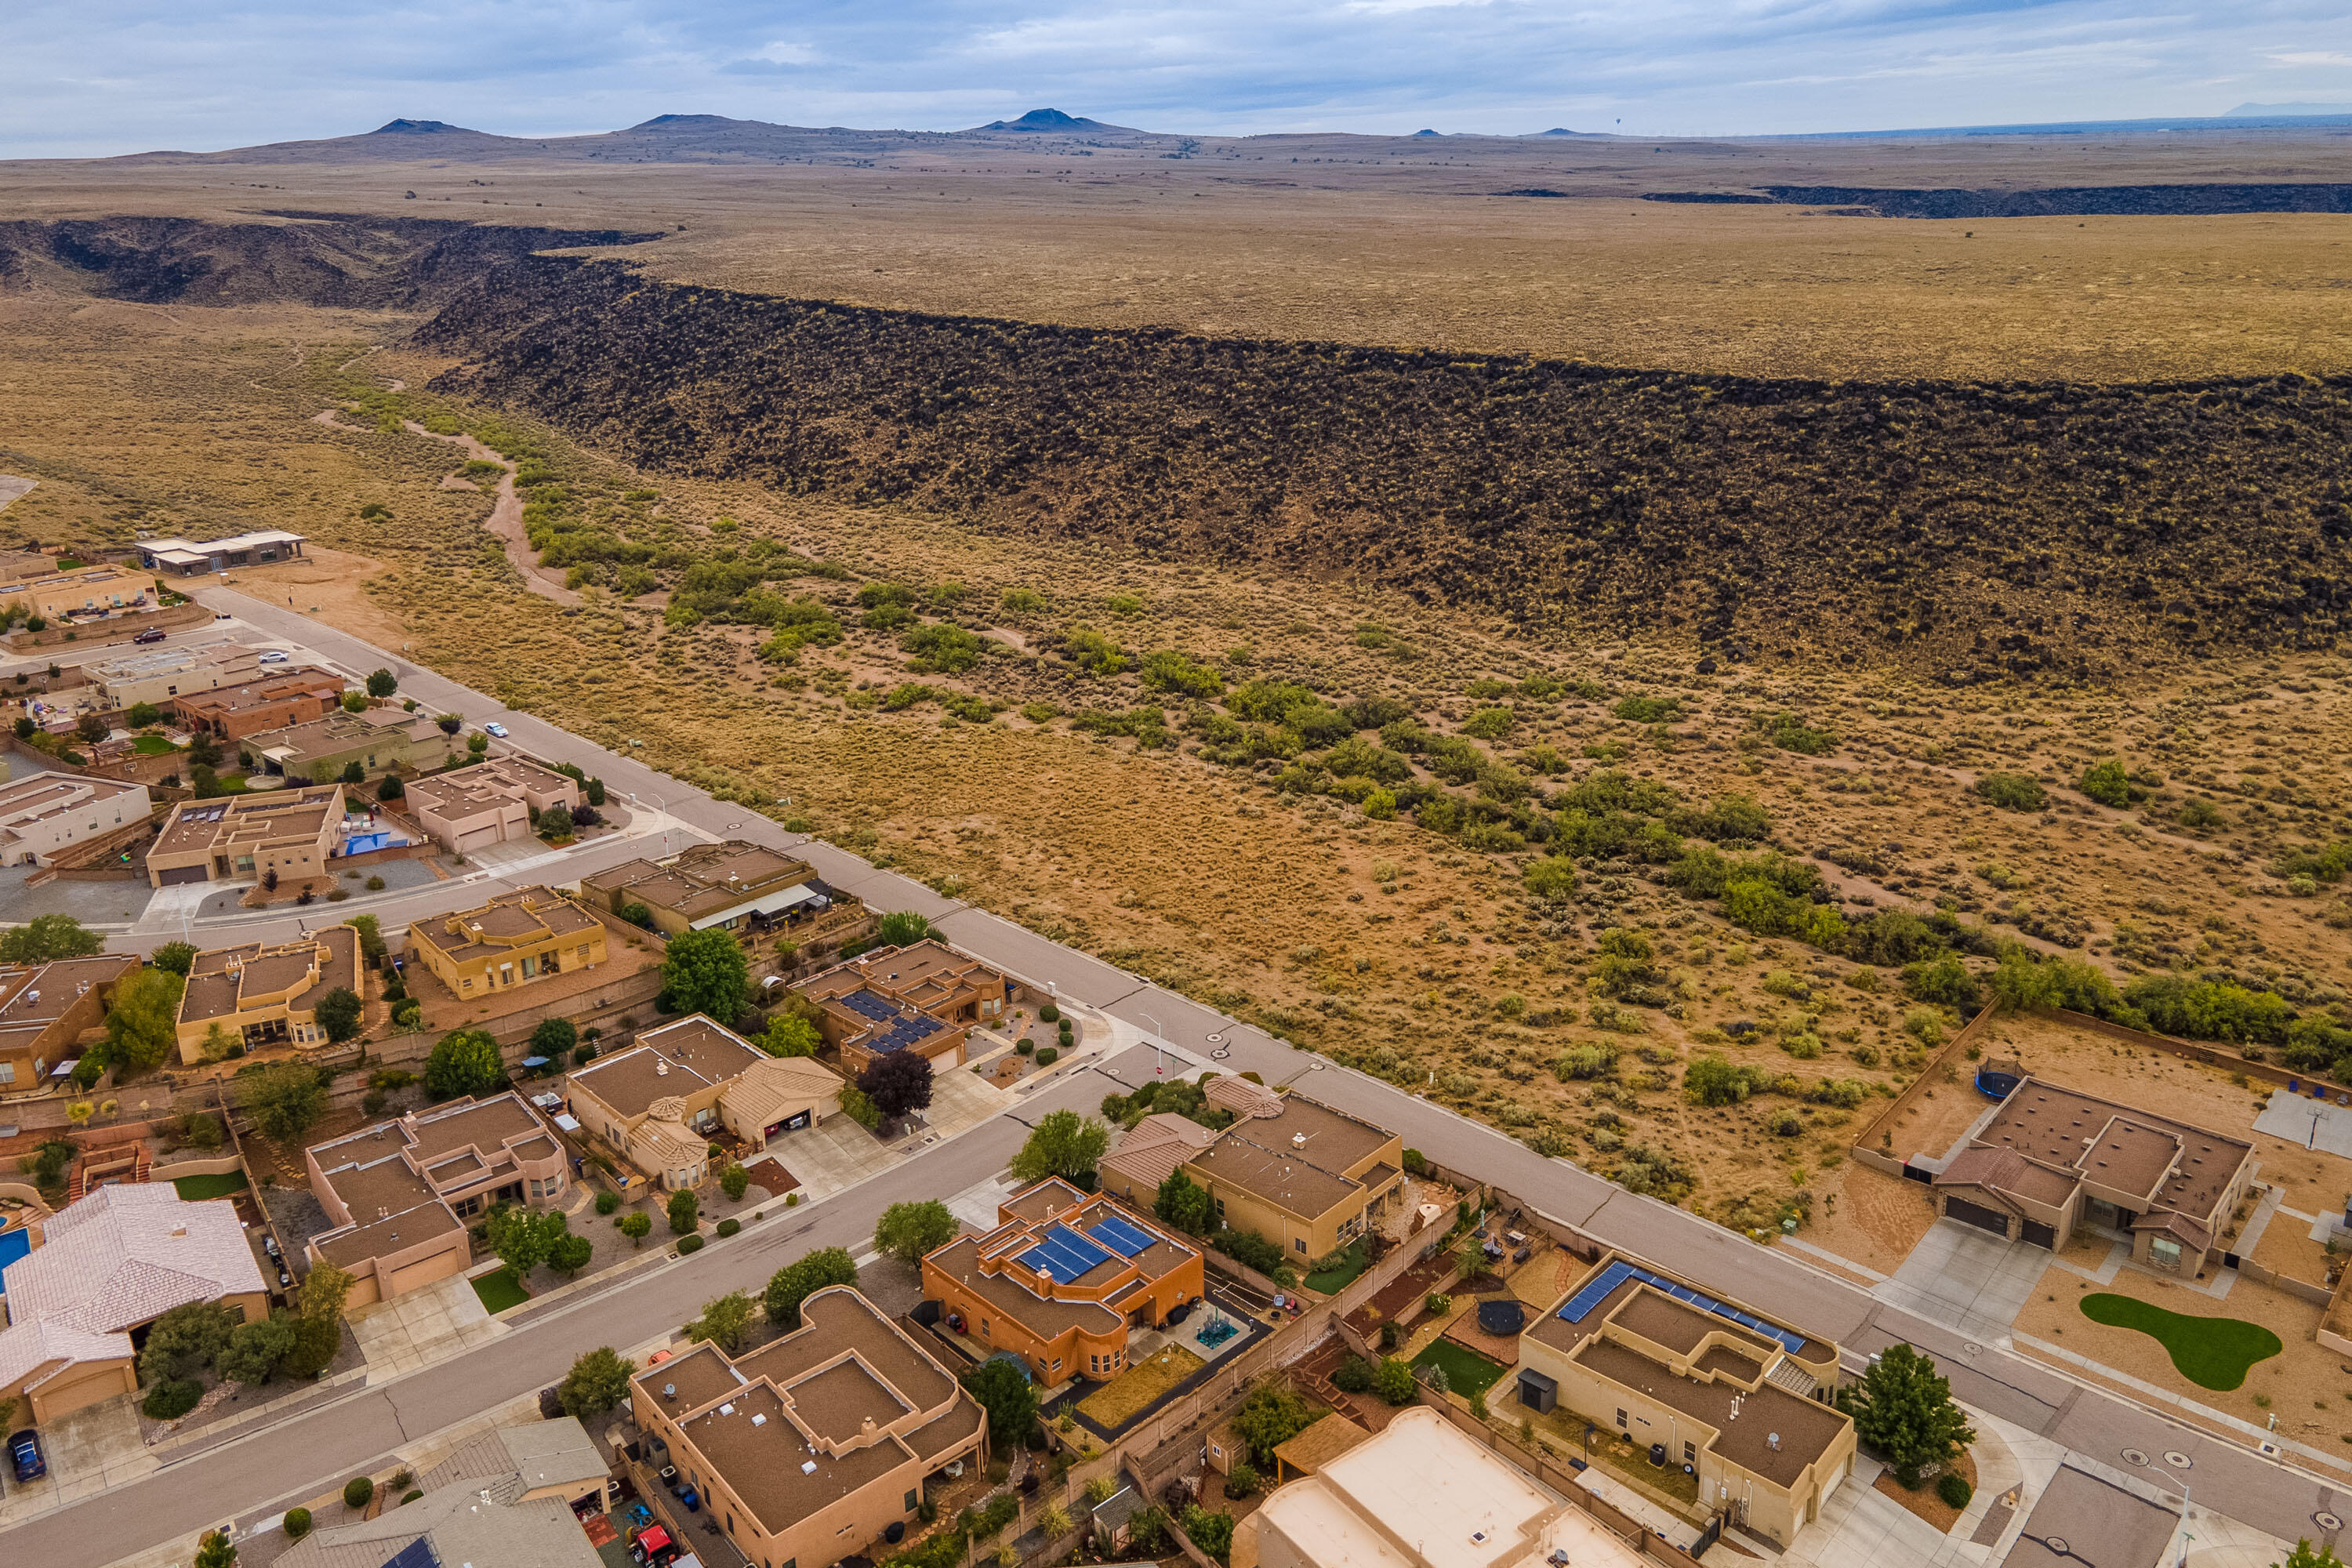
{"points": [[1408, 243]]}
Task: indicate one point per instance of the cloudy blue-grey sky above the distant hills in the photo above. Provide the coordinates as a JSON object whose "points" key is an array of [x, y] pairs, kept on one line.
{"points": [[123, 76]]}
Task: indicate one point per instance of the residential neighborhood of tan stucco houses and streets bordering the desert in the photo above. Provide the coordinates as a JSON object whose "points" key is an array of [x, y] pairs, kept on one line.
{"points": [[867, 1240]]}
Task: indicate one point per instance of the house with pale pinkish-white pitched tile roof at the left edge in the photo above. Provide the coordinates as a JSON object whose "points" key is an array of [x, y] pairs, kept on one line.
{"points": [[107, 1268]]}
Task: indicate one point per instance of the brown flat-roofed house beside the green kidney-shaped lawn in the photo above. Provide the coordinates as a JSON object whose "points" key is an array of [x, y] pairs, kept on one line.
{"points": [[2054, 1158]]}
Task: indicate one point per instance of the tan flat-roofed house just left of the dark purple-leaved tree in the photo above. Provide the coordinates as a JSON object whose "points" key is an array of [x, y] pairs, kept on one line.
{"points": [[660, 1101]]}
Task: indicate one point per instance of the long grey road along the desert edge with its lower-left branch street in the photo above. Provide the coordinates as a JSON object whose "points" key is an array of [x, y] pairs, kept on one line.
{"points": [[295, 1459]]}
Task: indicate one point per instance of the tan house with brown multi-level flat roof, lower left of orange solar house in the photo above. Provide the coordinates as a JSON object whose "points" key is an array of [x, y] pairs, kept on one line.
{"points": [[808, 1449]]}
